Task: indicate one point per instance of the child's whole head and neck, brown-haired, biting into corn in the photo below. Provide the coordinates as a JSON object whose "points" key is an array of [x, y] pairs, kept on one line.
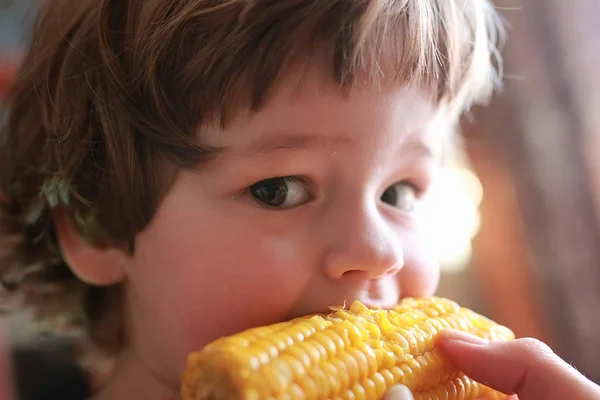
{"points": [[177, 171]]}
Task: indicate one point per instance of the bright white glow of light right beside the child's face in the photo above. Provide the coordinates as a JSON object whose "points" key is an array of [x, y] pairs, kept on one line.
{"points": [[452, 216]]}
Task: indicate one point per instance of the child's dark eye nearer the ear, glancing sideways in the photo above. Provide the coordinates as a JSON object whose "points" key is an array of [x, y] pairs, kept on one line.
{"points": [[282, 193]]}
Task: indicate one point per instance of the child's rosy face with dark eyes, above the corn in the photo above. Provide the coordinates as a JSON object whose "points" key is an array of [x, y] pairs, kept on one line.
{"points": [[311, 204]]}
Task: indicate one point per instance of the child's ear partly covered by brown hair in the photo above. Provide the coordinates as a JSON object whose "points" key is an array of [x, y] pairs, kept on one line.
{"points": [[95, 265]]}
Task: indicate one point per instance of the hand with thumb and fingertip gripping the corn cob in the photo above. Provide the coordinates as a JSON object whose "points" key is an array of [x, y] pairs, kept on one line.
{"points": [[524, 367]]}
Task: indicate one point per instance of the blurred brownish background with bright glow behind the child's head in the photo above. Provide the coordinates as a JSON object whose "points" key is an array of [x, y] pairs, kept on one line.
{"points": [[517, 208]]}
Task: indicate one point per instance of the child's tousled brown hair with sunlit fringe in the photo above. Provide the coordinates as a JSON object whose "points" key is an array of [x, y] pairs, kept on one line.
{"points": [[104, 109]]}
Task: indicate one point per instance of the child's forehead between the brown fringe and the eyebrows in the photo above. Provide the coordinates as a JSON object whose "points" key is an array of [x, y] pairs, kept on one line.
{"points": [[306, 103]]}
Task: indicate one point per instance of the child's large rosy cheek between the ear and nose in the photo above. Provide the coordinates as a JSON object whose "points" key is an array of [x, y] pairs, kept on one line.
{"points": [[214, 281]]}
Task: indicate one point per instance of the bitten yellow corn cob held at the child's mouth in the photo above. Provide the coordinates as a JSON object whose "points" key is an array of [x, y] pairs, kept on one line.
{"points": [[348, 354]]}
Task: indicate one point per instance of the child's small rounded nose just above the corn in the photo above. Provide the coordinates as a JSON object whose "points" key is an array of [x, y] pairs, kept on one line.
{"points": [[363, 247]]}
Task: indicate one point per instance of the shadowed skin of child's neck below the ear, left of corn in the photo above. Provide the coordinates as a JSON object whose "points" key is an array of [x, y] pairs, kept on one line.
{"points": [[131, 380]]}
